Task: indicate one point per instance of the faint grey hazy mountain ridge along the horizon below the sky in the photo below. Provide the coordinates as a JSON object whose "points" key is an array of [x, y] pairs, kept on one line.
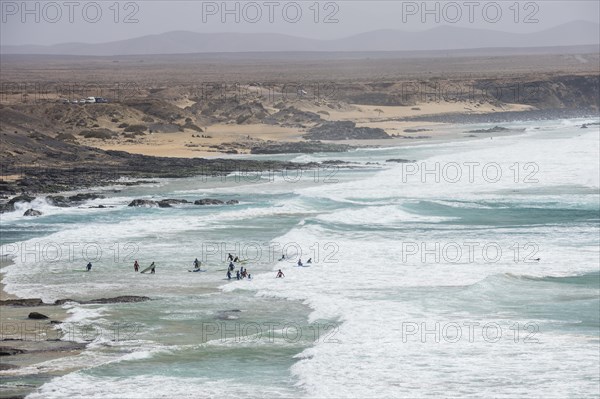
{"points": [[439, 38]]}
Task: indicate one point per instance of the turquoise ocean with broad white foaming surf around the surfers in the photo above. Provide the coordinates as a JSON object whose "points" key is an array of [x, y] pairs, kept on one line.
{"points": [[472, 271]]}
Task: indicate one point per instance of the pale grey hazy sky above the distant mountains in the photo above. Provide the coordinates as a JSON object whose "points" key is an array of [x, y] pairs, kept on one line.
{"points": [[51, 22]]}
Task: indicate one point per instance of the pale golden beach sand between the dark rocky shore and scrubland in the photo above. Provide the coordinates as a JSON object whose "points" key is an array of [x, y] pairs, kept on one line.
{"points": [[191, 144]]}
